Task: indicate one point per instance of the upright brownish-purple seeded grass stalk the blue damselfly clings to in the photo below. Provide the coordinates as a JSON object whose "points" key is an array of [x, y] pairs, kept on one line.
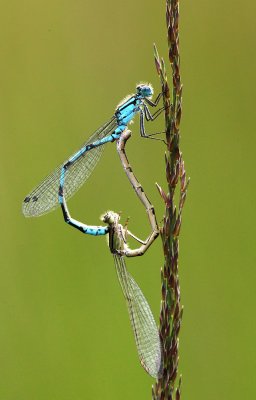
{"points": [[168, 387]]}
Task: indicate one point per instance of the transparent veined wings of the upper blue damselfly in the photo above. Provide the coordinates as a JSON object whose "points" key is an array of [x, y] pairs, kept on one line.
{"points": [[44, 197]]}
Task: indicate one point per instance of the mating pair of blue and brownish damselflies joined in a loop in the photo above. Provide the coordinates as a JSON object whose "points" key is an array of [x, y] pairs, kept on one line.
{"points": [[69, 176]]}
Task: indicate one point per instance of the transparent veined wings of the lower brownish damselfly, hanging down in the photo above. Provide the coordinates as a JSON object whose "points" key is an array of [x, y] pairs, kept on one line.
{"points": [[143, 324]]}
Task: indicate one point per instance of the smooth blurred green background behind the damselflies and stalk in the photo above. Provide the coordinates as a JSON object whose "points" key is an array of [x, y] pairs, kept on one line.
{"points": [[64, 329]]}
